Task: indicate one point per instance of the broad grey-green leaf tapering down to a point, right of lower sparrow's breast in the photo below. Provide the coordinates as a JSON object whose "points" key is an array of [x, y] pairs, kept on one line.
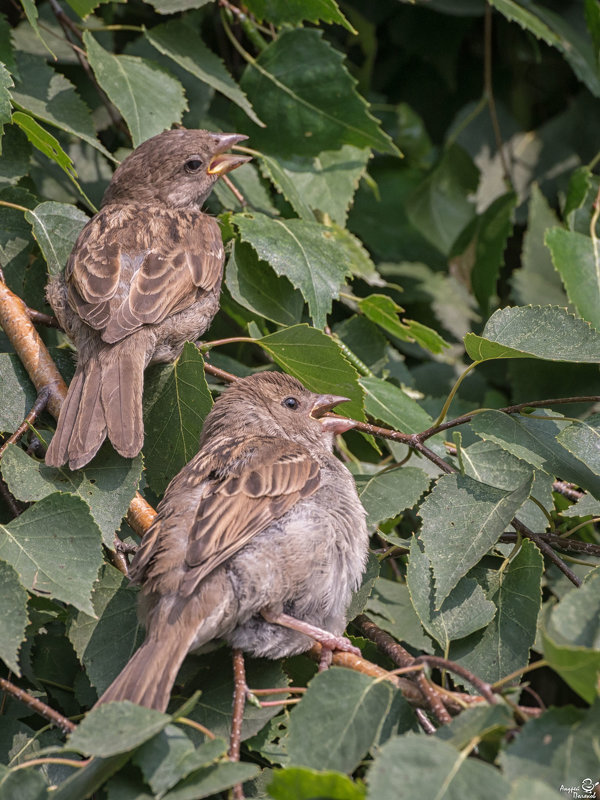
{"points": [[462, 520]]}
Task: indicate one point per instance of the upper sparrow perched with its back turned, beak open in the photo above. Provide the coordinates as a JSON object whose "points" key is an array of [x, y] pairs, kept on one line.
{"points": [[143, 278]]}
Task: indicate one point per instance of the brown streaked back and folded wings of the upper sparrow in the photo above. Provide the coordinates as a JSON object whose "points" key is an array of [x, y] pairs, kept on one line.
{"points": [[134, 265]]}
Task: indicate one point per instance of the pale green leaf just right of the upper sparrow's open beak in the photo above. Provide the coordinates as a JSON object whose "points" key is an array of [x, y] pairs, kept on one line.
{"points": [[326, 182]]}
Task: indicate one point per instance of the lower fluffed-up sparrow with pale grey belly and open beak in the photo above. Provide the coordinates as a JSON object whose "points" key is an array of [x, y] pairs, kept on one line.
{"points": [[260, 540]]}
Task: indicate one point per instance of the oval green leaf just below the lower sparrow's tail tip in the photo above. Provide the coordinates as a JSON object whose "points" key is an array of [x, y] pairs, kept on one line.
{"points": [[130, 726]]}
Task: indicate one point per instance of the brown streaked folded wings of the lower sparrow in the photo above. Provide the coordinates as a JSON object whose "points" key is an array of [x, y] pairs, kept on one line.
{"points": [[270, 477]]}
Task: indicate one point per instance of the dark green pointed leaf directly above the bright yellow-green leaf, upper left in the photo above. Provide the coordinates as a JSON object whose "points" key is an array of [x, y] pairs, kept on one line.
{"points": [[49, 96]]}
